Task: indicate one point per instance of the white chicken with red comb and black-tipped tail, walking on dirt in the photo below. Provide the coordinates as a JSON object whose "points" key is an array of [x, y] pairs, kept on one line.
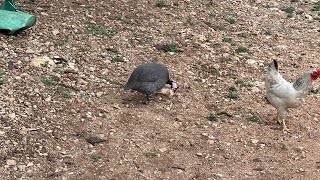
{"points": [[283, 94]]}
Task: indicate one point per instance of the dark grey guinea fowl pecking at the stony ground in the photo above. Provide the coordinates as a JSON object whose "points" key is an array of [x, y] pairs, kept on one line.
{"points": [[149, 78]]}
